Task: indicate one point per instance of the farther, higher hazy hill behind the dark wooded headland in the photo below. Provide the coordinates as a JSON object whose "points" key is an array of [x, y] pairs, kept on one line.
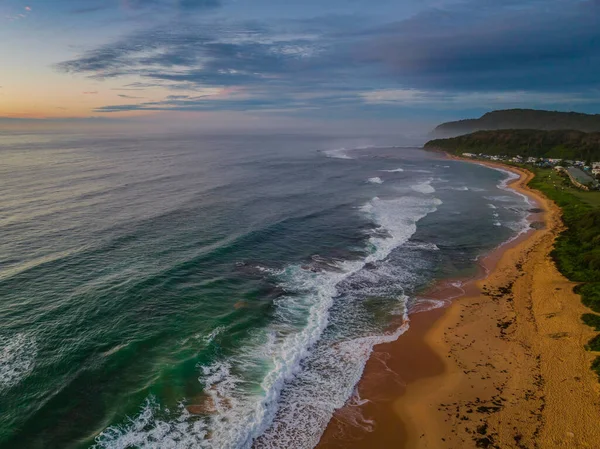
{"points": [[521, 119]]}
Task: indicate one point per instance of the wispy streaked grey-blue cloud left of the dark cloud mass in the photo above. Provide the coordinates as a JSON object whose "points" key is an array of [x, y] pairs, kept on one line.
{"points": [[218, 53]]}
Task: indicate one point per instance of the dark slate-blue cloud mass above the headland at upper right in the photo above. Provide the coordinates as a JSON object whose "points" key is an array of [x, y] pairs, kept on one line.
{"points": [[554, 46]]}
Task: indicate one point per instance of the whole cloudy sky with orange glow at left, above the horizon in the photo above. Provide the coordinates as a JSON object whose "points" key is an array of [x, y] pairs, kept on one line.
{"points": [[283, 61]]}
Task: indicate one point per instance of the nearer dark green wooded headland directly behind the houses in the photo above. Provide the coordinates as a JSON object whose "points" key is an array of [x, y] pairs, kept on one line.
{"points": [[576, 145]]}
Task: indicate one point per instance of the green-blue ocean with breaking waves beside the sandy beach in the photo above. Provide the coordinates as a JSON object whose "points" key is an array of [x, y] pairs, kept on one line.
{"points": [[212, 291]]}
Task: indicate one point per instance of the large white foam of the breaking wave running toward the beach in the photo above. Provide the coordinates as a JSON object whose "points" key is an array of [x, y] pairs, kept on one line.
{"points": [[273, 412]]}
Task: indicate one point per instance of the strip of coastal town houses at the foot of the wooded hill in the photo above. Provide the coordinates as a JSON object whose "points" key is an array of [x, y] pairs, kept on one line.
{"points": [[583, 175]]}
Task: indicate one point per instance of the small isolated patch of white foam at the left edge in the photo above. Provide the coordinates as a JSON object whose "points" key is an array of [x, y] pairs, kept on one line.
{"points": [[17, 359]]}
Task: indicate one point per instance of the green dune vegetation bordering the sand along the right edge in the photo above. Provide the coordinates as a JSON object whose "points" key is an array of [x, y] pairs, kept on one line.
{"points": [[577, 250]]}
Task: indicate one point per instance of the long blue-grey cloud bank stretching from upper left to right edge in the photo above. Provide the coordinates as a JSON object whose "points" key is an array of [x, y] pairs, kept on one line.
{"points": [[472, 46]]}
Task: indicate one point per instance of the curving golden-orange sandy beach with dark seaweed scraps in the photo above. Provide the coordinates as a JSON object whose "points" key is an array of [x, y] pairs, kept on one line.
{"points": [[503, 366]]}
